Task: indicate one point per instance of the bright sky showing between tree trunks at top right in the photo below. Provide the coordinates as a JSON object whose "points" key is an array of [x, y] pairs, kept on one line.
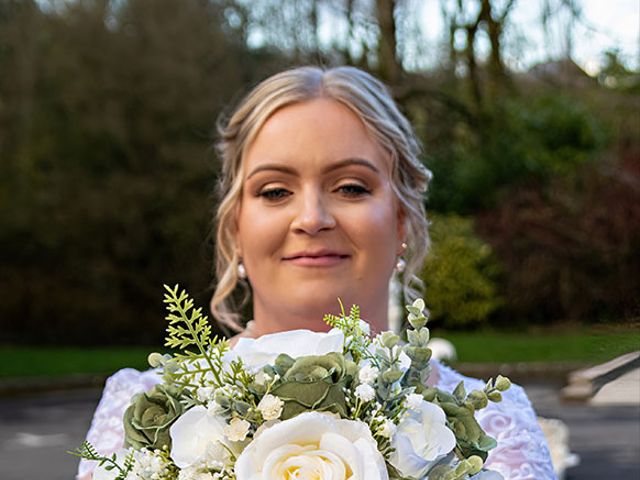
{"points": [[607, 24]]}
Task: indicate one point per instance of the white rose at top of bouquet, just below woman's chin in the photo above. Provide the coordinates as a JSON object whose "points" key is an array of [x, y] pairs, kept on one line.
{"points": [[256, 353]]}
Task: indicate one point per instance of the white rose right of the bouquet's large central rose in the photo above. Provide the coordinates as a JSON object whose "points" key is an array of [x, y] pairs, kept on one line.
{"points": [[421, 439]]}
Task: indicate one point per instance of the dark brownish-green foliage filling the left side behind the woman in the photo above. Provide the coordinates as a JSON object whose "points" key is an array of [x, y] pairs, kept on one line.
{"points": [[107, 111]]}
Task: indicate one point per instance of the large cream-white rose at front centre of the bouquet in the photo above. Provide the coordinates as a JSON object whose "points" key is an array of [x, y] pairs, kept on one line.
{"points": [[313, 445]]}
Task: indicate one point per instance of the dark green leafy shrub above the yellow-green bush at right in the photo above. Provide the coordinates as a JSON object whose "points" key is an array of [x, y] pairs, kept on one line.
{"points": [[522, 140]]}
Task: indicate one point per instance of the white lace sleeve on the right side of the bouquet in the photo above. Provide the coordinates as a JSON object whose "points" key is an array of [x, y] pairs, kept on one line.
{"points": [[522, 452]]}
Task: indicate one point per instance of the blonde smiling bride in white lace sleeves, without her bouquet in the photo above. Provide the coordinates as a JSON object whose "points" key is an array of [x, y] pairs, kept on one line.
{"points": [[322, 198]]}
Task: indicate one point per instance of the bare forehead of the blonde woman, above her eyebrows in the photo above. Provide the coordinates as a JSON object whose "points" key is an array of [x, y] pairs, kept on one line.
{"points": [[315, 131]]}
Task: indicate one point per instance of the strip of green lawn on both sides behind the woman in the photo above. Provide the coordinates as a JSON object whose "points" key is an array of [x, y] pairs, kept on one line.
{"points": [[478, 347]]}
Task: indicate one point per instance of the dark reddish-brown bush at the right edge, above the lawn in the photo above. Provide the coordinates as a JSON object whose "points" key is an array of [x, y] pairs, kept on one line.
{"points": [[571, 250]]}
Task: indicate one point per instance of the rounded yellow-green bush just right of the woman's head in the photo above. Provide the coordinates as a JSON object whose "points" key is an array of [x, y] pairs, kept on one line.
{"points": [[460, 274]]}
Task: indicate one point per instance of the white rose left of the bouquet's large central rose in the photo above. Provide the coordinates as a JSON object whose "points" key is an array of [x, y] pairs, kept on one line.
{"points": [[198, 436]]}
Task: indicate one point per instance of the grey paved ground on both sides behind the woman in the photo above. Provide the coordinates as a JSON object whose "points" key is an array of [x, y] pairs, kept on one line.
{"points": [[35, 432]]}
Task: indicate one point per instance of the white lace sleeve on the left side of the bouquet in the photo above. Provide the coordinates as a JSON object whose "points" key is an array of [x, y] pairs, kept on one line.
{"points": [[107, 432]]}
